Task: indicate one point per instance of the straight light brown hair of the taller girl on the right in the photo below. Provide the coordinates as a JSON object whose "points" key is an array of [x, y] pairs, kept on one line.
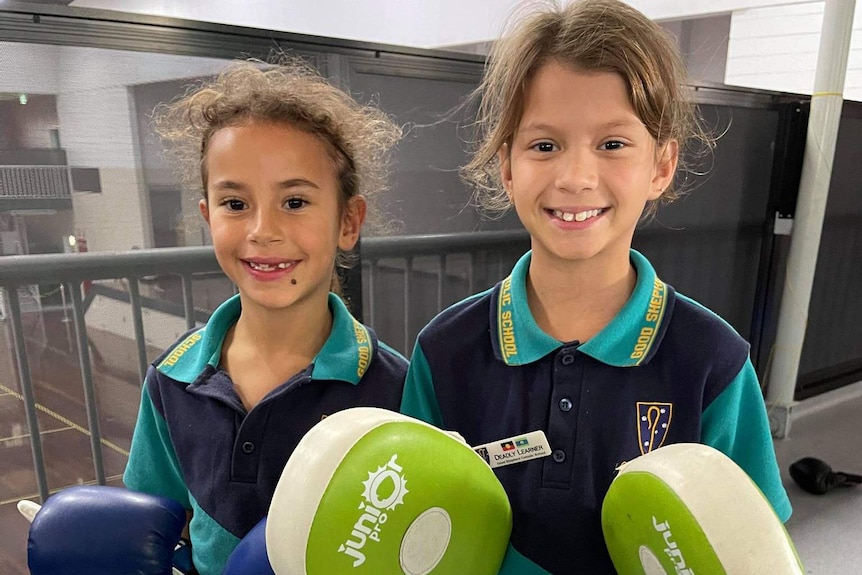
{"points": [[592, 35]]}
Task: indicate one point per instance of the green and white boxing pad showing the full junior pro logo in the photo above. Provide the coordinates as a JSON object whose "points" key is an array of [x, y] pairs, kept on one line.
{"points": [[369, 491]]}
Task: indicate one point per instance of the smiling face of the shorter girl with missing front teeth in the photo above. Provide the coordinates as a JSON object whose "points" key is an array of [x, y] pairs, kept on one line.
{"points": [[275, 213]]}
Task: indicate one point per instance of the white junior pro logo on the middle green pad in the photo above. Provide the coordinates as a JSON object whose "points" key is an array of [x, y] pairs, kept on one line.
{"points": [[383, 491]]}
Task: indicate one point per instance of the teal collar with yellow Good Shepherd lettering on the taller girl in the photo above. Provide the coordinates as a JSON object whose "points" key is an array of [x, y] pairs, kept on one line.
{"points": [[630, 339]]}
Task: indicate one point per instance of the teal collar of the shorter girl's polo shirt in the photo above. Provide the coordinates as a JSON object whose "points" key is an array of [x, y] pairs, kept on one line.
{"points": [[345, 355]]}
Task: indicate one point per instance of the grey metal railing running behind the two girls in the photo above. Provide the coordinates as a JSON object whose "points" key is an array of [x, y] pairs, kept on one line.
{"points": [[393, 266]]}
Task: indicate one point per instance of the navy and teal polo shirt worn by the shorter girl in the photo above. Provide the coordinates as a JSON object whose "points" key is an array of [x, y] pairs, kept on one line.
{"points": [[195, 442]]}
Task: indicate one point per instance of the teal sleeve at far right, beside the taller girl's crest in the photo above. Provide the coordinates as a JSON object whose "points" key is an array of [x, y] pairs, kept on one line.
{"points": [[736, 424]]}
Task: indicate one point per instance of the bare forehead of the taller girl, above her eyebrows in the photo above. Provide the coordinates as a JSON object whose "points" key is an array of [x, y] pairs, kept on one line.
{"points": [[560, 95]]}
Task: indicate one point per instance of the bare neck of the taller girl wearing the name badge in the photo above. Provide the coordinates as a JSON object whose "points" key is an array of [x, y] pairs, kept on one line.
{"points": [[573, 301]]}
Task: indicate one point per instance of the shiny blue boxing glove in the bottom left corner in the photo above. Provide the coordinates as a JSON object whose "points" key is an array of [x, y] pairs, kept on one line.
{"points": [[95, 530]]}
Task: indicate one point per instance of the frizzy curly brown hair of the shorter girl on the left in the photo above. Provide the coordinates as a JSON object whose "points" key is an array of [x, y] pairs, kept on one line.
{"points": [[359, 138]]}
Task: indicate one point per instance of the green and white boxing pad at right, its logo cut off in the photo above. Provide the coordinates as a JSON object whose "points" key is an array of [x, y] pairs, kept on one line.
{"points": [[688, 509]]}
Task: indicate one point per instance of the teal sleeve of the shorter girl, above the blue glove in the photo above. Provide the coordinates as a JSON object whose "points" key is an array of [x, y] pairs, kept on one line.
{"points": [[153, 466]]}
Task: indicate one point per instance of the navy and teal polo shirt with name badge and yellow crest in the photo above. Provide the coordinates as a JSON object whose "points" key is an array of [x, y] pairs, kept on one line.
{"points": [[664, 370]]}
